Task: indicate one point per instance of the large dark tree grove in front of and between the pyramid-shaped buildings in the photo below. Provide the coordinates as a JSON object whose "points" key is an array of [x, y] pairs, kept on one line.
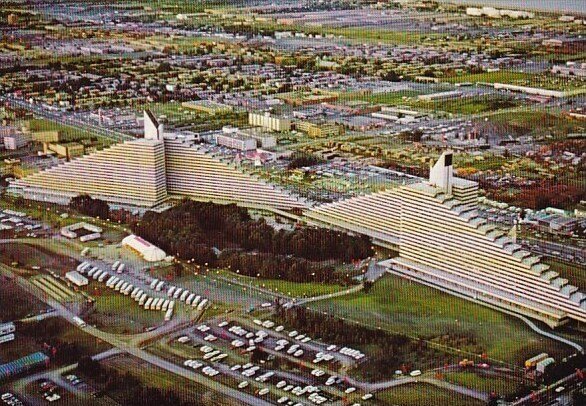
{"points": [[185, 231]]}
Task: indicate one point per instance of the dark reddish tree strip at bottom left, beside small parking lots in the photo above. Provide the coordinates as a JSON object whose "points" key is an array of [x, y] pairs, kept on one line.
{"points": [[127, 386]]}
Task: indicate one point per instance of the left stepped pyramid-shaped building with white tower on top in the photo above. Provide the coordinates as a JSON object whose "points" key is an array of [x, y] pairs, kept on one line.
{"points": [[147, 171]]}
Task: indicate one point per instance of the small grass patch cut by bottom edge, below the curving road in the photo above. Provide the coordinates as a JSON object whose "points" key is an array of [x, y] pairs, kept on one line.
{"points": [[423, 394]]}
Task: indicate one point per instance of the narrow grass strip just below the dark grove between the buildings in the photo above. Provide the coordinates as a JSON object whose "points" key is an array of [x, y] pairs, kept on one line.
{"points": [[292, 289]]}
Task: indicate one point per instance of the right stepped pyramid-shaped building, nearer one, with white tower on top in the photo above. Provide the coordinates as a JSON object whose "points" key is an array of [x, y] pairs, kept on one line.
{"points": [[444, 243]]}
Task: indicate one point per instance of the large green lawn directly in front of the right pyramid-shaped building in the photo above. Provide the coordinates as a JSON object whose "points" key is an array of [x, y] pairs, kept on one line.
{"points": [[400, 306]]}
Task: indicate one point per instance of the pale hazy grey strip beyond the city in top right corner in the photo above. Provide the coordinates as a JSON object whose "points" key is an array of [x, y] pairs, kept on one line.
{"points": [[557, 6]]}
